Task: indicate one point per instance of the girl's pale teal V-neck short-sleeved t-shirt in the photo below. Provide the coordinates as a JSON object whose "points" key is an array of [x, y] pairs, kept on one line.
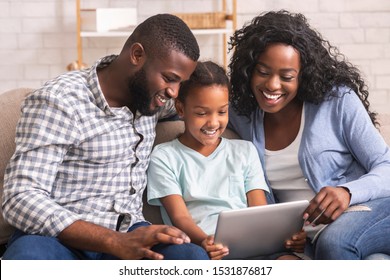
{"points": [[209, 184]]}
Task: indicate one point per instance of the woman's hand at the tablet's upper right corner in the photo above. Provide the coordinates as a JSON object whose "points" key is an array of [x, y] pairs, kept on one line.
{"points": [[327, 205]]}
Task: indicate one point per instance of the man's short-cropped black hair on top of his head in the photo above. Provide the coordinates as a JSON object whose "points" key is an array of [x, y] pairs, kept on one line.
{"points": [[162, 33]]}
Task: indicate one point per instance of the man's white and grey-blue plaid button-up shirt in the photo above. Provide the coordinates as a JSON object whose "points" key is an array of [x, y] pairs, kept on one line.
{"points": [[76, 158]]}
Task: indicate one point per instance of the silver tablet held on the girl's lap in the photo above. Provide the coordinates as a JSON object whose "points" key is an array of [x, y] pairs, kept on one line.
{"points": [[259, 230]]}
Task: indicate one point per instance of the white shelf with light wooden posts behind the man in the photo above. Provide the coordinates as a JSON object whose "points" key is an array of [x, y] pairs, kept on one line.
{"points": [[232, 17]]}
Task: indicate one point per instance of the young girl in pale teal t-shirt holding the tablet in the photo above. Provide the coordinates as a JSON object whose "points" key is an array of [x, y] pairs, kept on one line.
{"points": [[200, 174]]}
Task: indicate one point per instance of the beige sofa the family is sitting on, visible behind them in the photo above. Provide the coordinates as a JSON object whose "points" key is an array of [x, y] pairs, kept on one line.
{"points": [[10, 109]]}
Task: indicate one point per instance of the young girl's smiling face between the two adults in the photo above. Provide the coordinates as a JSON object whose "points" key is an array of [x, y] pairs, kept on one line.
{"points": [[205, 114]]}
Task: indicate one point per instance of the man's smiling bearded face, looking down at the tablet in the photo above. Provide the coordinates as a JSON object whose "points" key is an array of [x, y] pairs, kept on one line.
{"points": [[158, 81]]}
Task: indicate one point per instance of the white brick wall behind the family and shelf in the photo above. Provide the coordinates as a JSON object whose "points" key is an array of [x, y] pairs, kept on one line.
{"points": [[38, 37]]}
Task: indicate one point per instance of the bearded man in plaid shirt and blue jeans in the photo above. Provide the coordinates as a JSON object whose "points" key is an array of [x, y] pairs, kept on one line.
{"points": [[74, 186]]}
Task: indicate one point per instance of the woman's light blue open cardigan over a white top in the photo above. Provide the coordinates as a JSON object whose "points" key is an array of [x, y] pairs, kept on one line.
{"points": [[340, 146]]}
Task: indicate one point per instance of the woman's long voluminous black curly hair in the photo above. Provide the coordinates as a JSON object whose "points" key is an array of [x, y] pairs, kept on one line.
{"points": [[323, 67]]}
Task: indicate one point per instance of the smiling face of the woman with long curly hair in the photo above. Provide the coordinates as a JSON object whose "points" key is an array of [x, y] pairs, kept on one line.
{"points": [[274, 80]]}
